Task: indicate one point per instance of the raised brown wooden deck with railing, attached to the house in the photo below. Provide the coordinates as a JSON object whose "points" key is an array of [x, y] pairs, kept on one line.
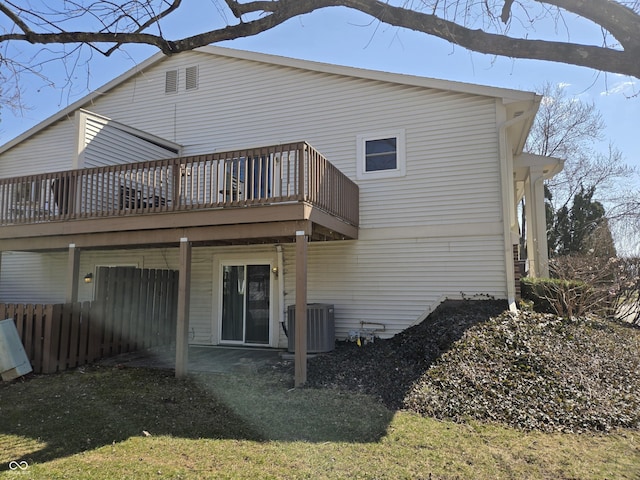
{"points": [[258, 195]]}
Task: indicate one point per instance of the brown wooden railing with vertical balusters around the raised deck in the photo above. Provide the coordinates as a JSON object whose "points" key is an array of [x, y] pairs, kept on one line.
{"points": [[260, 176]]}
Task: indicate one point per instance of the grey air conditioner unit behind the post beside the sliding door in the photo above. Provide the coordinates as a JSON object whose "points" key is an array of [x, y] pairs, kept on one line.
{"points": [[321, 332]]}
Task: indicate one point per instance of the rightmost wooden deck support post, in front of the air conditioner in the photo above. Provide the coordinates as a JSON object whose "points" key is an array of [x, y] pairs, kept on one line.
{"points": [[301, 310]]}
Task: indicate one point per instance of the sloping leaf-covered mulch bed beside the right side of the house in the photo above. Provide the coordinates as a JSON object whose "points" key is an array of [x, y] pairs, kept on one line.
{"points": [[472, 359]]}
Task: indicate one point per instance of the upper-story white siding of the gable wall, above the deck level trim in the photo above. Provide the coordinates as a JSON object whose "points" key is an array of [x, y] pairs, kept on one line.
{"points": [[451, 138]]}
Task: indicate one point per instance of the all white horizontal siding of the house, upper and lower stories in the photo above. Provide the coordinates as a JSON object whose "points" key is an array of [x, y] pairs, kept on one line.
{"points": [[432, 233]]}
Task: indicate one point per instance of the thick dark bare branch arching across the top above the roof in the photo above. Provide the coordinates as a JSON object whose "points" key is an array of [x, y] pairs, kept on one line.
{"points": [[619, 20]]}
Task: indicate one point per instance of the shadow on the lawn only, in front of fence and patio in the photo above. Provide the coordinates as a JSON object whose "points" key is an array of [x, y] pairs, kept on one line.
{"points": [[68, 413]]}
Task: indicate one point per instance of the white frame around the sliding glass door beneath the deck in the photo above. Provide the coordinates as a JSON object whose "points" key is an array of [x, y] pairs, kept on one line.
{"points": [[261, 258]]}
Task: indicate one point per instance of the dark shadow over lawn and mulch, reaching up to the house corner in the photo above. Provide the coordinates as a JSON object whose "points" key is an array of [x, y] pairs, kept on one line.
{"points": [[68, 413]]}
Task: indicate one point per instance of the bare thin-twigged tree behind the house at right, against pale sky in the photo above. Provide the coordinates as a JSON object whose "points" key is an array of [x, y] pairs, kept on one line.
{"points": [[569, 128]]}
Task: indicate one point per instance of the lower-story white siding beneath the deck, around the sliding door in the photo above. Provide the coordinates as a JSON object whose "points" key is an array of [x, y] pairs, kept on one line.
{"points": [[395, 288]]}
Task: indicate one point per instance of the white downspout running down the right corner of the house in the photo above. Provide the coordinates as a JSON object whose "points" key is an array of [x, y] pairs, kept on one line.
{"points": [[506, 175]]}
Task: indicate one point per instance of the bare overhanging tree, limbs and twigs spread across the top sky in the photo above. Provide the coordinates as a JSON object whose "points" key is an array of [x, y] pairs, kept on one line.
{"points": [[496, 27]]}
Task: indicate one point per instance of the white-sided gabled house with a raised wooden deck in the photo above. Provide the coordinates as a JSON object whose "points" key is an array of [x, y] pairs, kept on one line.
{"points": [[270, 182]]}
